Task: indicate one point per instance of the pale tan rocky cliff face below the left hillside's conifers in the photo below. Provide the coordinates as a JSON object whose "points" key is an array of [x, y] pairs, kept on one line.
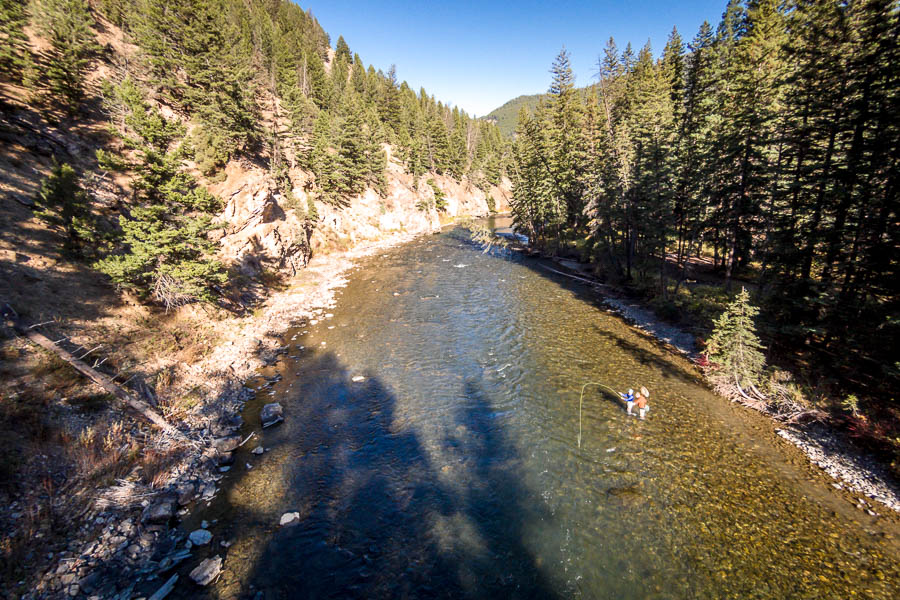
{"points": [[261, 230]]}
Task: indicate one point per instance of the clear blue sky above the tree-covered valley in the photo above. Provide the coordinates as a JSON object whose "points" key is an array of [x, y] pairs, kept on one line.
{"points": [[478, 55]]}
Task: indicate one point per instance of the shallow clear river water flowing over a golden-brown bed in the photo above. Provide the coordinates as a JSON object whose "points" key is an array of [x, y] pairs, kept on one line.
{"points": [[453, 469]]}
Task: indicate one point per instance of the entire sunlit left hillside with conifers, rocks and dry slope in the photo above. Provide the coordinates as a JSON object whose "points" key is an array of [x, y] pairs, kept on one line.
{"points": [[167, 170]]}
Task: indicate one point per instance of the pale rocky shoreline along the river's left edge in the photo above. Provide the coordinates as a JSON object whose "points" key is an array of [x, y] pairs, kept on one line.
{"points": [[126, 543]]}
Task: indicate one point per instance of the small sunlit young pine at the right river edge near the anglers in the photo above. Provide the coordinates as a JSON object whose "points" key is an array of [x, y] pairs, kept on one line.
{"points": [[734, 345]]}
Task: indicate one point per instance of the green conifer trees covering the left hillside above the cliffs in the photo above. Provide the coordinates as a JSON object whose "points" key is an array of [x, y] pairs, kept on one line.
{"points": [[199, 83]]}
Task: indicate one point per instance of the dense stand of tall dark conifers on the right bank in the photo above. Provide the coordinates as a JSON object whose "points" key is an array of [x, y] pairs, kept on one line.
{"points": [[766, 148]]}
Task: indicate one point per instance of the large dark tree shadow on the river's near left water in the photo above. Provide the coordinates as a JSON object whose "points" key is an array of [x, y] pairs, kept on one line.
{"points": [[387, 511]]}
